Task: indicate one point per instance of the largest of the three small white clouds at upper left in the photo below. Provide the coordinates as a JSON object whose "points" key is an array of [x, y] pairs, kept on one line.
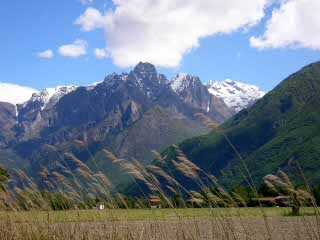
{"points": [[74, 50]]}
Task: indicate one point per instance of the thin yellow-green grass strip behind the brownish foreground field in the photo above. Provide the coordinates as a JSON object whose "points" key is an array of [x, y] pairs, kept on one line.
{"points": [[145, 214]]}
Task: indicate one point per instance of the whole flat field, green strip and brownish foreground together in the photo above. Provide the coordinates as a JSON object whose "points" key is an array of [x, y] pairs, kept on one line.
{"points": [[240, 223]]}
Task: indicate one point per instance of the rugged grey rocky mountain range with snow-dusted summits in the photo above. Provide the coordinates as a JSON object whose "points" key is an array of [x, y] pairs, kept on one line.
{"points": [[63, 132]]}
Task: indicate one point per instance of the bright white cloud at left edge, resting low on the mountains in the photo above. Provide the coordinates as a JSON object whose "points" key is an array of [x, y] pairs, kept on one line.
{"points": [[15, 94]]}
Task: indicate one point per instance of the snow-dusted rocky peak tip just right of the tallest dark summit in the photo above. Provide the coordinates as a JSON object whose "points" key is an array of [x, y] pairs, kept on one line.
{"points": [[182, 81]]}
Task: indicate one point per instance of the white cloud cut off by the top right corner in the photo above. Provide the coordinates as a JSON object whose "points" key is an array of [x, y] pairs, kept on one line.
{"points": [[296, 23]]}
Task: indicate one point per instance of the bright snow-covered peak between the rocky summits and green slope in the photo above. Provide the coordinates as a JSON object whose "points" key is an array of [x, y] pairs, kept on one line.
{"points": [[236, 95]]}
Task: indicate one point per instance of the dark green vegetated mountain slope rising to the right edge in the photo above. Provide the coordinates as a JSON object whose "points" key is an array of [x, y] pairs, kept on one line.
{"points": [[279, 131]]}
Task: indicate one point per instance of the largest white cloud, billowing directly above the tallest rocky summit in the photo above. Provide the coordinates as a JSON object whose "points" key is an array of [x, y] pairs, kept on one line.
{"points": [[163, 31]]}
